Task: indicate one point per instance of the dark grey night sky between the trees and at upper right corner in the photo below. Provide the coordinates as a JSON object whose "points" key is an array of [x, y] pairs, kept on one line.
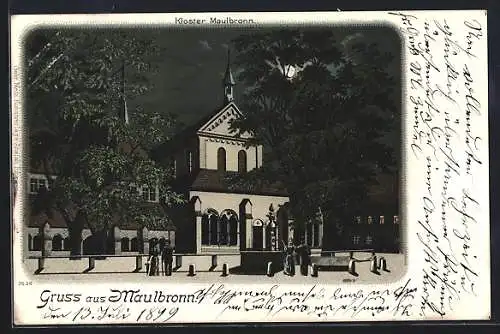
{"points": [[193, 61]]}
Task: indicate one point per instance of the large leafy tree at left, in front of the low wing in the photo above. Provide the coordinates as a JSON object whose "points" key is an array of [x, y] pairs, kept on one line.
{"points": [[85, 128]]}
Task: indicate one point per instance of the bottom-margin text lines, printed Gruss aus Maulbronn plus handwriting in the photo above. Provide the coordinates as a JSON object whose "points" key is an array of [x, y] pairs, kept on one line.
{"points": [[159, 306]]}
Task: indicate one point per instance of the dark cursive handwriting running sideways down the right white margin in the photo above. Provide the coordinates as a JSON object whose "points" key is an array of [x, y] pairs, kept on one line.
{"points": [[446, 146]]}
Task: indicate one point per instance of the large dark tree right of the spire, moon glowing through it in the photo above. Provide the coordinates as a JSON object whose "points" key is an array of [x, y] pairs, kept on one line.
{"points": [[322, 109]]}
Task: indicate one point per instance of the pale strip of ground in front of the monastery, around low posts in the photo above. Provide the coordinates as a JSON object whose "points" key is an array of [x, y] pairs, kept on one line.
{"points": [[120, 270]]}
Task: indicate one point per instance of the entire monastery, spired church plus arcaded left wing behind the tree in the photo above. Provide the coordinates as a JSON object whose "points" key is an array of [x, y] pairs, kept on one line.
{"points": [[220, 216]]}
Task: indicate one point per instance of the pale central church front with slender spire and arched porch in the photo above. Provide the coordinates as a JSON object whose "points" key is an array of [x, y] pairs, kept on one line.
{"points": [[223, 217]]}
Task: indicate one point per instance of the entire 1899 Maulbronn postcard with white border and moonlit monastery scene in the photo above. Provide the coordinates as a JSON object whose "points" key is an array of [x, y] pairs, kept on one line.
{"points": [[250, 167]]}
